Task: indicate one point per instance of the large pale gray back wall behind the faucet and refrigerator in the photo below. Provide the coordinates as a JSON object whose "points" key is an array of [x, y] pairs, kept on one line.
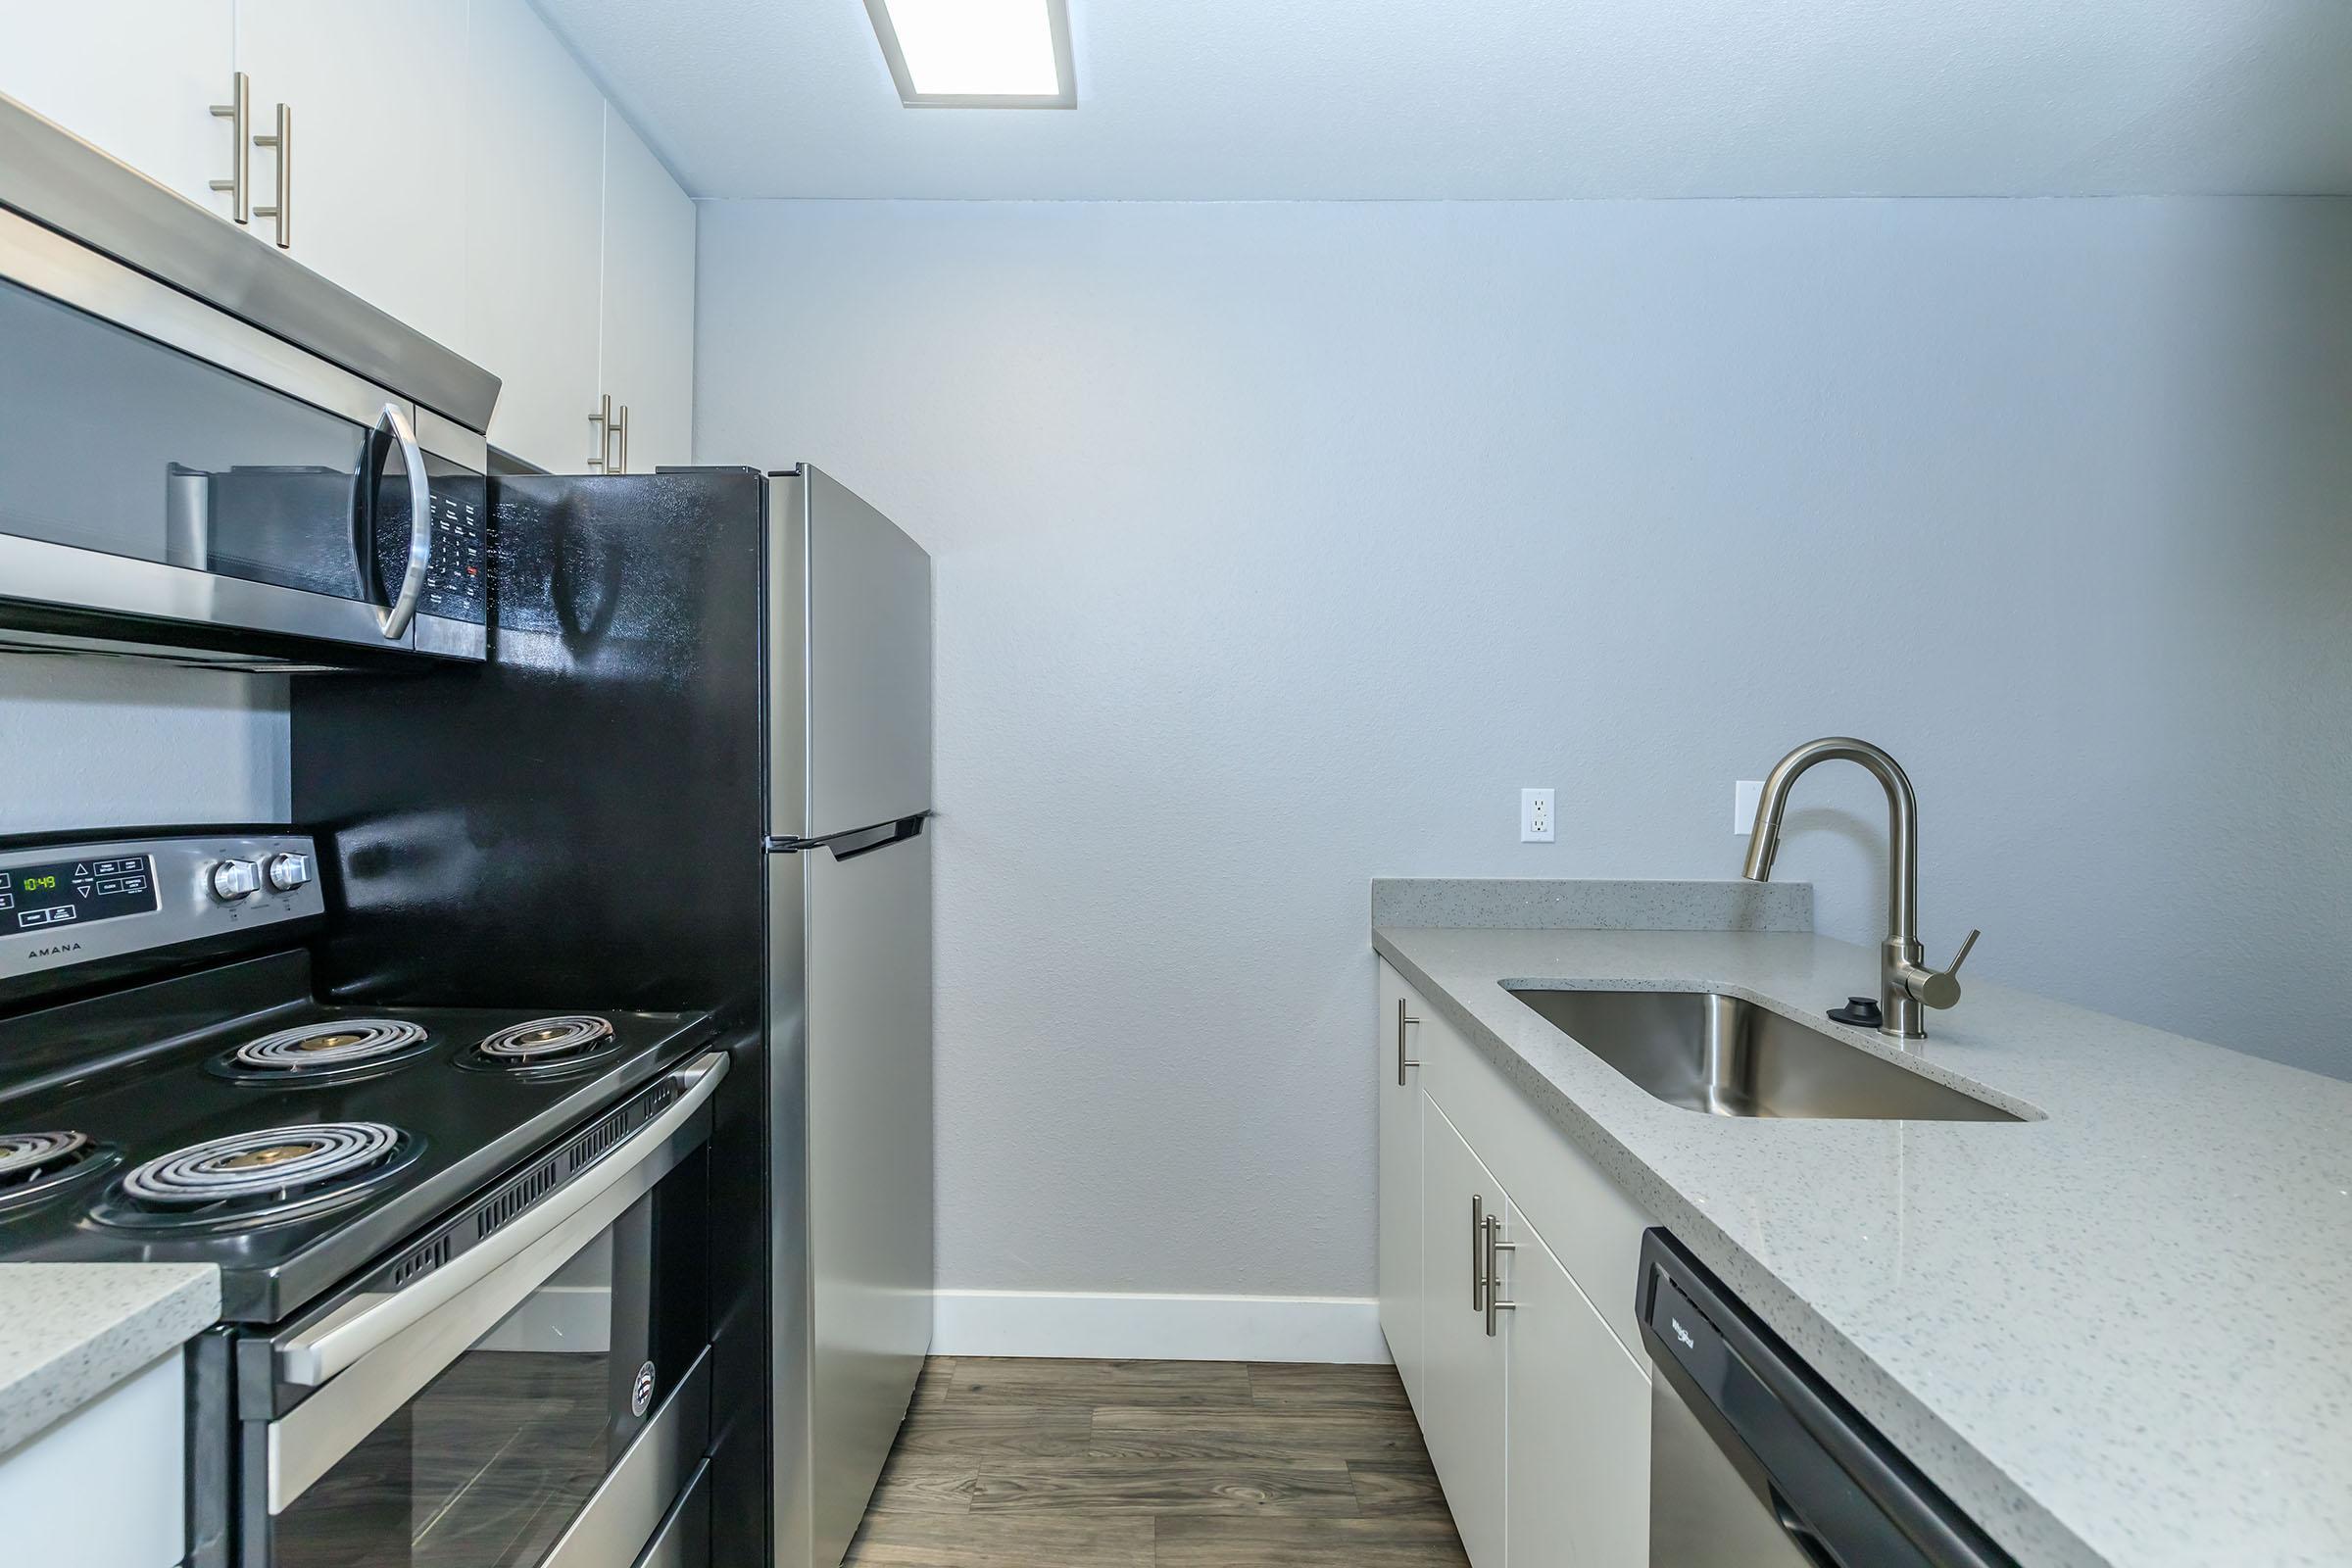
{"points": [[1283, 544]]}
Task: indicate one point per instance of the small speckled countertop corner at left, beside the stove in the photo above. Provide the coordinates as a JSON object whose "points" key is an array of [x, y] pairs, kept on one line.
{"points": [[69, 1332]]}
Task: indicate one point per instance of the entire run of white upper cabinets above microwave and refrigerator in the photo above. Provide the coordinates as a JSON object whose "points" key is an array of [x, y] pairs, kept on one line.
{"points": [[446, 161]]}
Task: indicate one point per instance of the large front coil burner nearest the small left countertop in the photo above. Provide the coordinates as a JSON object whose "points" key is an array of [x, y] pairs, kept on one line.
{"points": [[260, 1179]]}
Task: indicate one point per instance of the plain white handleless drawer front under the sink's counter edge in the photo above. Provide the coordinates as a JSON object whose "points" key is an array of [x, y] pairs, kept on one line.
{"points": [[1589, 1221]]}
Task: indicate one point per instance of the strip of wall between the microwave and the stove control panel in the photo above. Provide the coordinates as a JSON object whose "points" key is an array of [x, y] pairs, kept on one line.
{"points": [[123, 744]]}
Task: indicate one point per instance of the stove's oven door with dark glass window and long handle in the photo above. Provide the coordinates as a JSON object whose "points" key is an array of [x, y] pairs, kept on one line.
{"points": [[530, 1383]]}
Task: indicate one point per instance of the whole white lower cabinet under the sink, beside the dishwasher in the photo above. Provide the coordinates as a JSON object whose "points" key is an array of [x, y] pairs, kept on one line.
{"points": [[1539, 1430]]}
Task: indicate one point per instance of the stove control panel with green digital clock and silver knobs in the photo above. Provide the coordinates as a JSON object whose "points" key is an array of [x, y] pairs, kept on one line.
{"points": [[83, 902]]}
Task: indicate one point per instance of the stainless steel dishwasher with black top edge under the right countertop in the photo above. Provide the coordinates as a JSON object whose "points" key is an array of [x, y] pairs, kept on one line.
{"points": [[1758, 1463]]}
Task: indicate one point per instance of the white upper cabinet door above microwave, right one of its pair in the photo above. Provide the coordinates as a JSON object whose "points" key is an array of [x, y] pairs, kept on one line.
{"points": [[380, 147]]}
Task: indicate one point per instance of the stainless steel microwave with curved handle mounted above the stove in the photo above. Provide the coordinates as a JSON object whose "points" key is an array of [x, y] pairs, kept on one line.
{"points": [[178, 481]]}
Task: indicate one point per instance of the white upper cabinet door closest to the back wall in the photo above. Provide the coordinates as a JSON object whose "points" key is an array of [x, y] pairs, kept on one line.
{"points": [[648, 342]]}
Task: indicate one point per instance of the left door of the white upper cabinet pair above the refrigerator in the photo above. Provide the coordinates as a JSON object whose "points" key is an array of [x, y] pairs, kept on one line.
{"points": [[535, 222]]}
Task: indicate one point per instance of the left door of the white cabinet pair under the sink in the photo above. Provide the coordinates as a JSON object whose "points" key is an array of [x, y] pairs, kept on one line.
{"points": [[1462, 1369]]}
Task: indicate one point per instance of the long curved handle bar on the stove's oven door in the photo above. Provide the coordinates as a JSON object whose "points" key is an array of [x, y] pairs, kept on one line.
{"points": [[373, 1320]]}
